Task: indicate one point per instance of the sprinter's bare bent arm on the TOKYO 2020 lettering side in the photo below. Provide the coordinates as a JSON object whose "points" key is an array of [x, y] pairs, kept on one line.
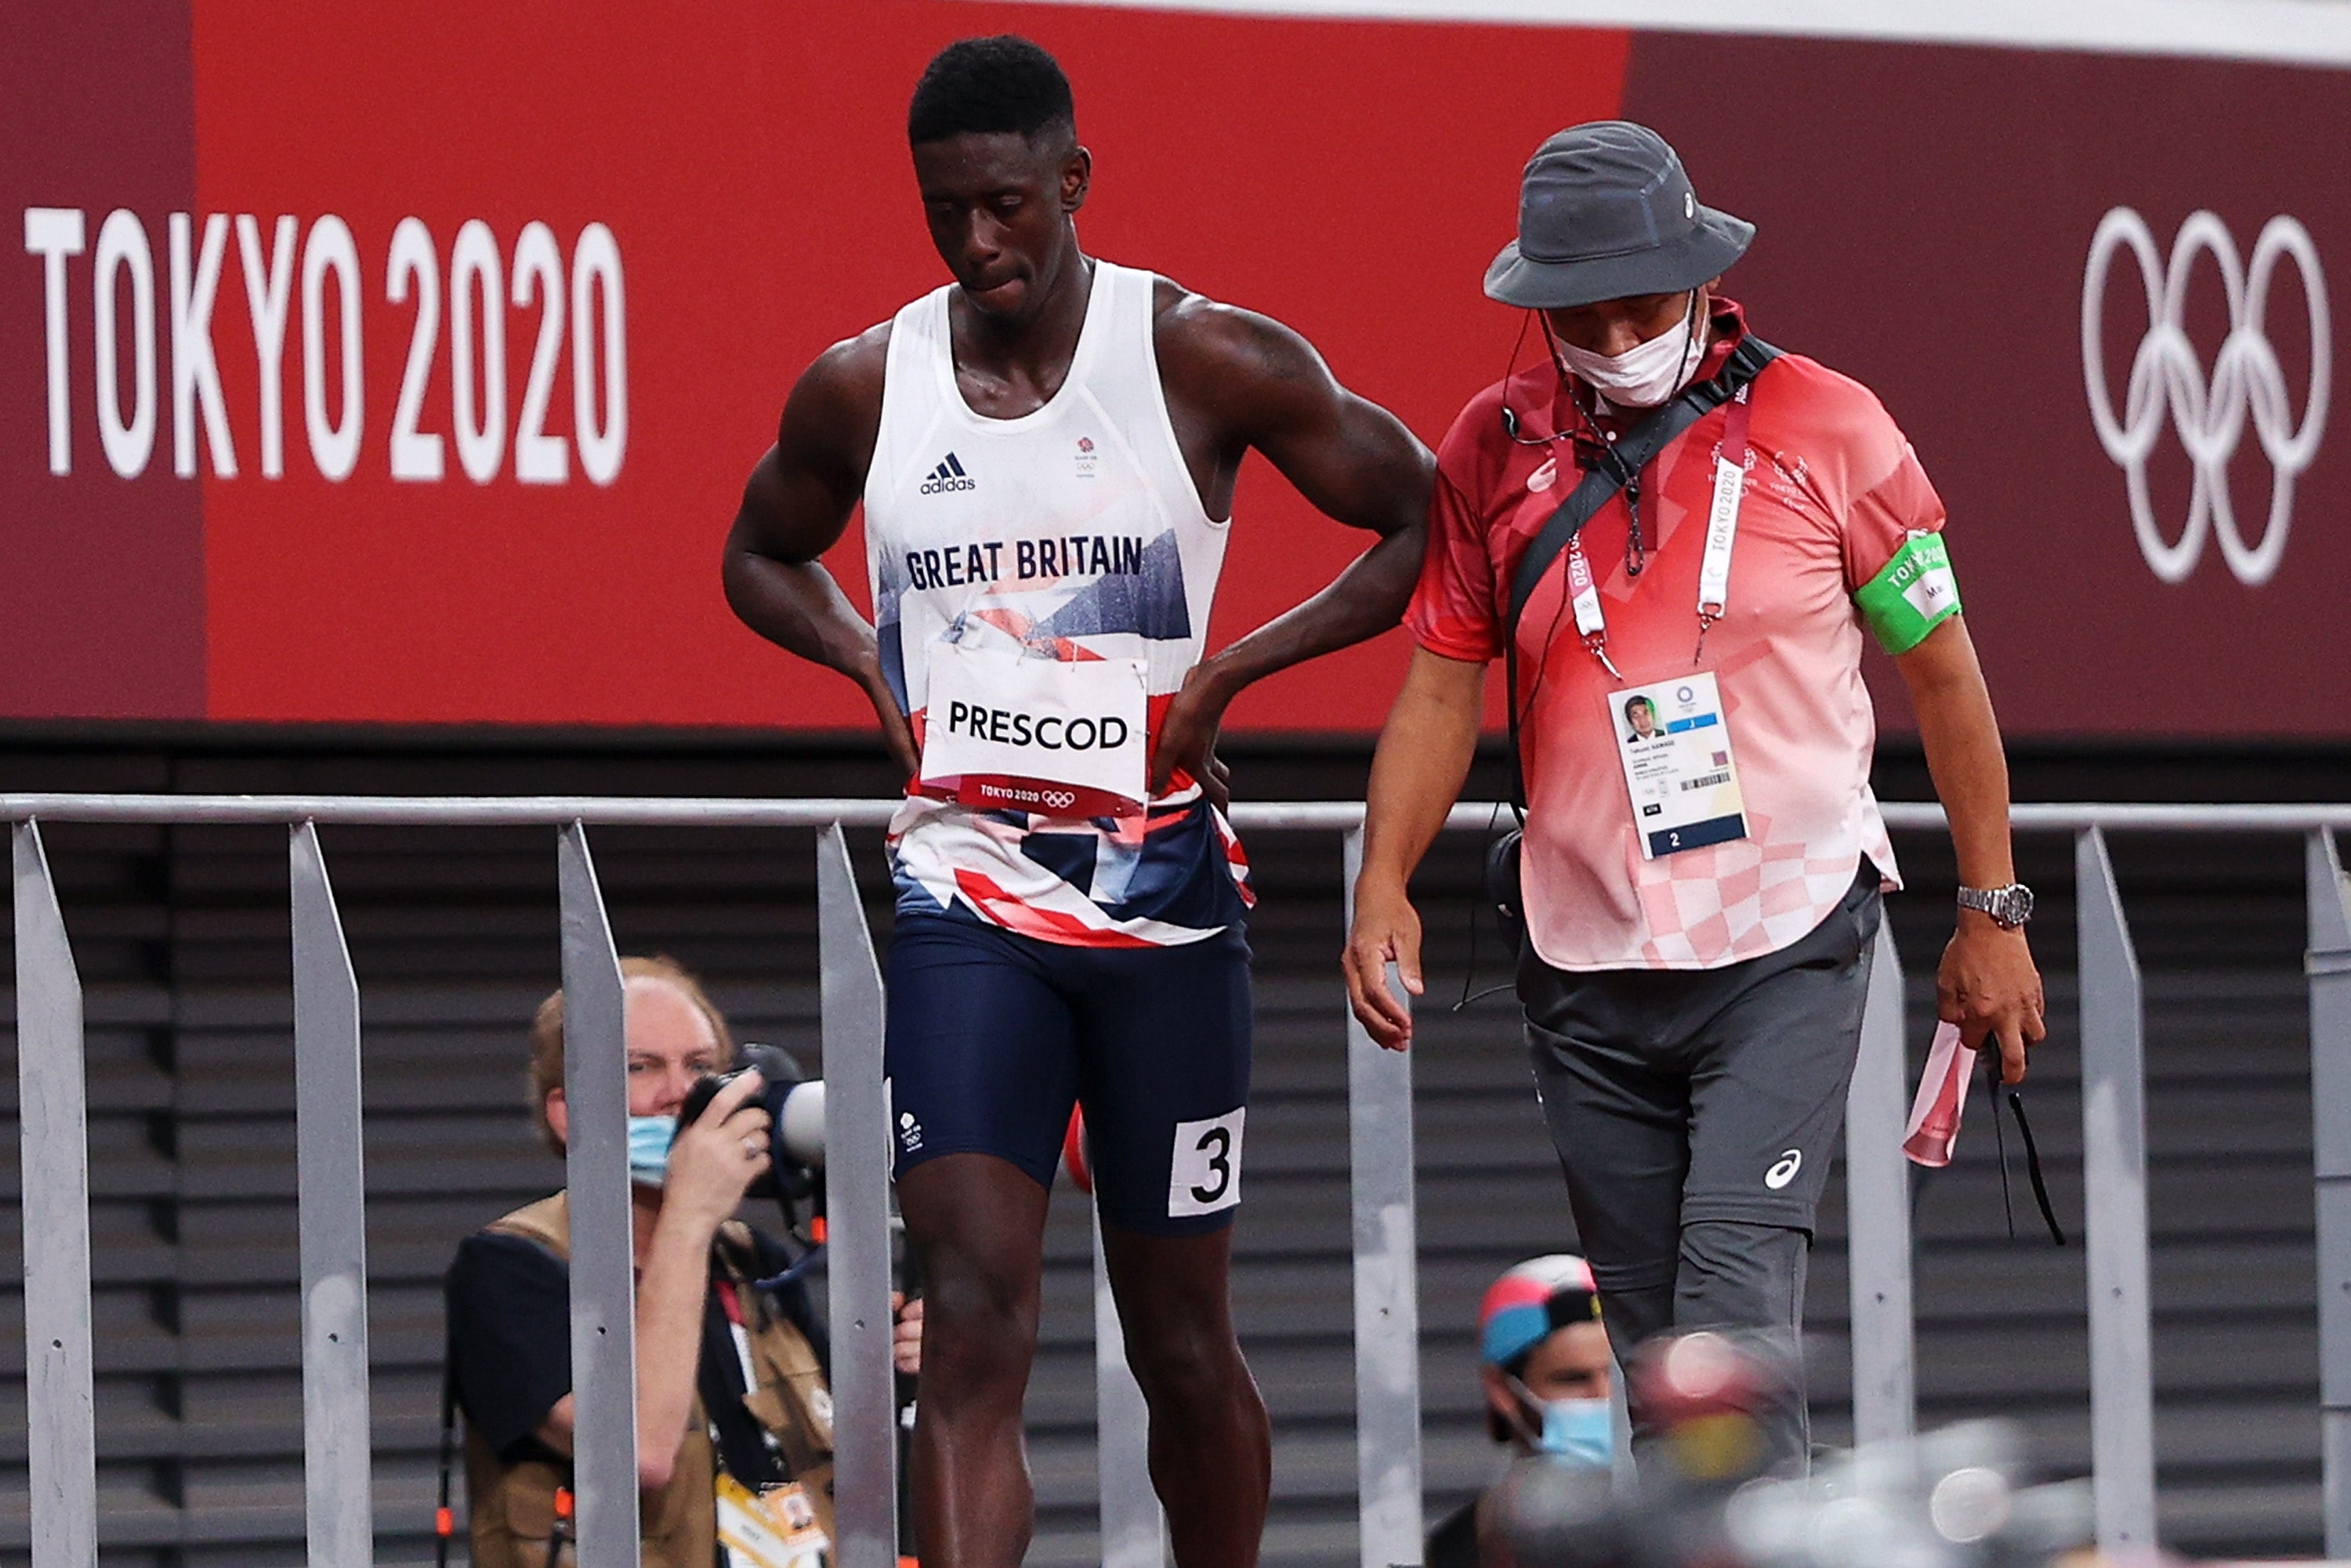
{"points": [[796, 507]]}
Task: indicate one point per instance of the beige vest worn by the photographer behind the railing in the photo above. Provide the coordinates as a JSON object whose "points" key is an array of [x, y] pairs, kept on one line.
{"points": [[511, 1508]]}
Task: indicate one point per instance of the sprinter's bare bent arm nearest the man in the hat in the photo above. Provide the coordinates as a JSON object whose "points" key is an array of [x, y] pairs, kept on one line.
{"points": [[1243, 382]]}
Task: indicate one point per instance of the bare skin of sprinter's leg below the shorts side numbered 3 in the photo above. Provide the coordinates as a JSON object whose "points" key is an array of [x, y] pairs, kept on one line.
{"points": [[1212, 1447]]}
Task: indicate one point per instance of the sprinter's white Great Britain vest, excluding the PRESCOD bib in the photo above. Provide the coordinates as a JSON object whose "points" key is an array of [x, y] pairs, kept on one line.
{"points": [[1073, 535]]}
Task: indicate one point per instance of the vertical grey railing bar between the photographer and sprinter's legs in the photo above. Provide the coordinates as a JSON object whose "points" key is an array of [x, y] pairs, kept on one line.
{"points": [[857, 1221]]}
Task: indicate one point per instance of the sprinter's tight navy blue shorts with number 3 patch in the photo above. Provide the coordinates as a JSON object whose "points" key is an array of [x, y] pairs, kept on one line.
{"points": [[996, 1036]]}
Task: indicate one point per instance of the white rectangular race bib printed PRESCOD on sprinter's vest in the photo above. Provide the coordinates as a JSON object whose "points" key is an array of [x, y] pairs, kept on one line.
{"points": [[1007, 732]]}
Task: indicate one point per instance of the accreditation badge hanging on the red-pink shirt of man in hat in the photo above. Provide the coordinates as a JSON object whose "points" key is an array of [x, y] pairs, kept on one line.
{"points": [[1675, 746]]}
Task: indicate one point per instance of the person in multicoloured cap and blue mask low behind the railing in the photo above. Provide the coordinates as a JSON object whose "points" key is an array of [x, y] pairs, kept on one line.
{"points": [[1546, 1369]]}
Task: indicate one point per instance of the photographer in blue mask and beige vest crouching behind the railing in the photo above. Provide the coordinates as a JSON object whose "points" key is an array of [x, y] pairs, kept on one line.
{"points": [[735, 1423]]}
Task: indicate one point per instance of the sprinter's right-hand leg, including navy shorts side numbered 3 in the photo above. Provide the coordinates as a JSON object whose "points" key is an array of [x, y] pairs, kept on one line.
{"points": [[1165, 1076]]}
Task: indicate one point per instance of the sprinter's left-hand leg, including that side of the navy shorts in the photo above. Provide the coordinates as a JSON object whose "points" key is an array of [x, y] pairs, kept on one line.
{"points": [[984, 1073]]}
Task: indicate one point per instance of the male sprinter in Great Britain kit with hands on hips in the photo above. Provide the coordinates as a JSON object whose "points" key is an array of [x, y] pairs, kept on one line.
{"points": [[1047, 455]]}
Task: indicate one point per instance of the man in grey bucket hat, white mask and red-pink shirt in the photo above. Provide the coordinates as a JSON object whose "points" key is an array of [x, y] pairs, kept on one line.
{"points": [[1701, 906]]}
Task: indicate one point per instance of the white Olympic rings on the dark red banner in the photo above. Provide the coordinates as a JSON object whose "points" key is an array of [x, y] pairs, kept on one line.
{"points": [[2209, 415]]}
